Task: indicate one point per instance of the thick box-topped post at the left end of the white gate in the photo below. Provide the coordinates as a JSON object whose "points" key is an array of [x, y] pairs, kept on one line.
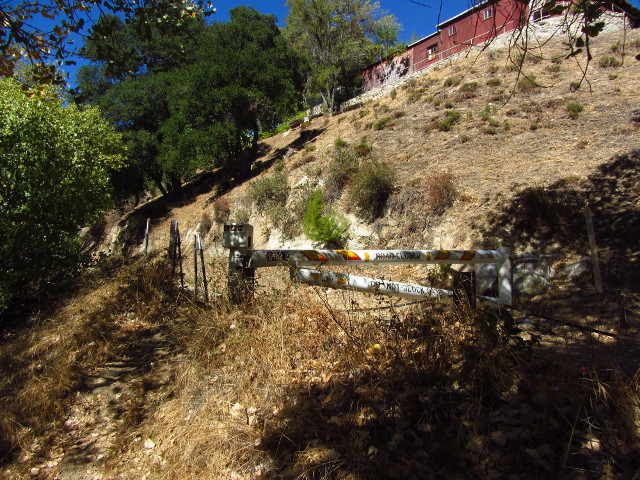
{"points": [[238, 238]]}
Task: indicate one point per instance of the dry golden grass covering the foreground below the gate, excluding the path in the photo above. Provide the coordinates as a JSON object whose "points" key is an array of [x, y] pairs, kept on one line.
{"points": [[291, 386]]}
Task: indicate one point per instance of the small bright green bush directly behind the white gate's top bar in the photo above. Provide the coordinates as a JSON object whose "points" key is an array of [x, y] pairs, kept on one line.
{"points": [[325, 228]]}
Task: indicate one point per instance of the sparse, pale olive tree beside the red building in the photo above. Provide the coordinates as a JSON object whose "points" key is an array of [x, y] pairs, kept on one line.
{"points": [[341, 37]]}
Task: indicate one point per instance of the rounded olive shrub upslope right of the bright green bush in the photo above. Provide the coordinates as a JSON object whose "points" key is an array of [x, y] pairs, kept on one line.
{"points": [[371, 186]]}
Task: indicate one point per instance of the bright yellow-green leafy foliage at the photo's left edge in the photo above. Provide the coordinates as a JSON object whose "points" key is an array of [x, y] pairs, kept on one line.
{"points": [[54, 179]]}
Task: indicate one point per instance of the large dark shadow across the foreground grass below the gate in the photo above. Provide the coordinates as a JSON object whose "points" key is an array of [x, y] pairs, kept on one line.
{"points": [[458, 403]]}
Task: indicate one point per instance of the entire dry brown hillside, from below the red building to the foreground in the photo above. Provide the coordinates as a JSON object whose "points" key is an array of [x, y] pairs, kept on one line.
{"points": [[132, 378]]}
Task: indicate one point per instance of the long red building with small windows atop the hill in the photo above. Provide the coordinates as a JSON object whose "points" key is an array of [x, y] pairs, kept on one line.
{"points": [[482, 22]]}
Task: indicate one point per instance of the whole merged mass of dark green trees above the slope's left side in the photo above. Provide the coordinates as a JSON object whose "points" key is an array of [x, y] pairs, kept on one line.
{"points": [[197, 101]]}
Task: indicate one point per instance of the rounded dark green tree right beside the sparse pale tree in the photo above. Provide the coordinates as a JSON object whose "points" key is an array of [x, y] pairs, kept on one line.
{"points": [[242, 78]]}
